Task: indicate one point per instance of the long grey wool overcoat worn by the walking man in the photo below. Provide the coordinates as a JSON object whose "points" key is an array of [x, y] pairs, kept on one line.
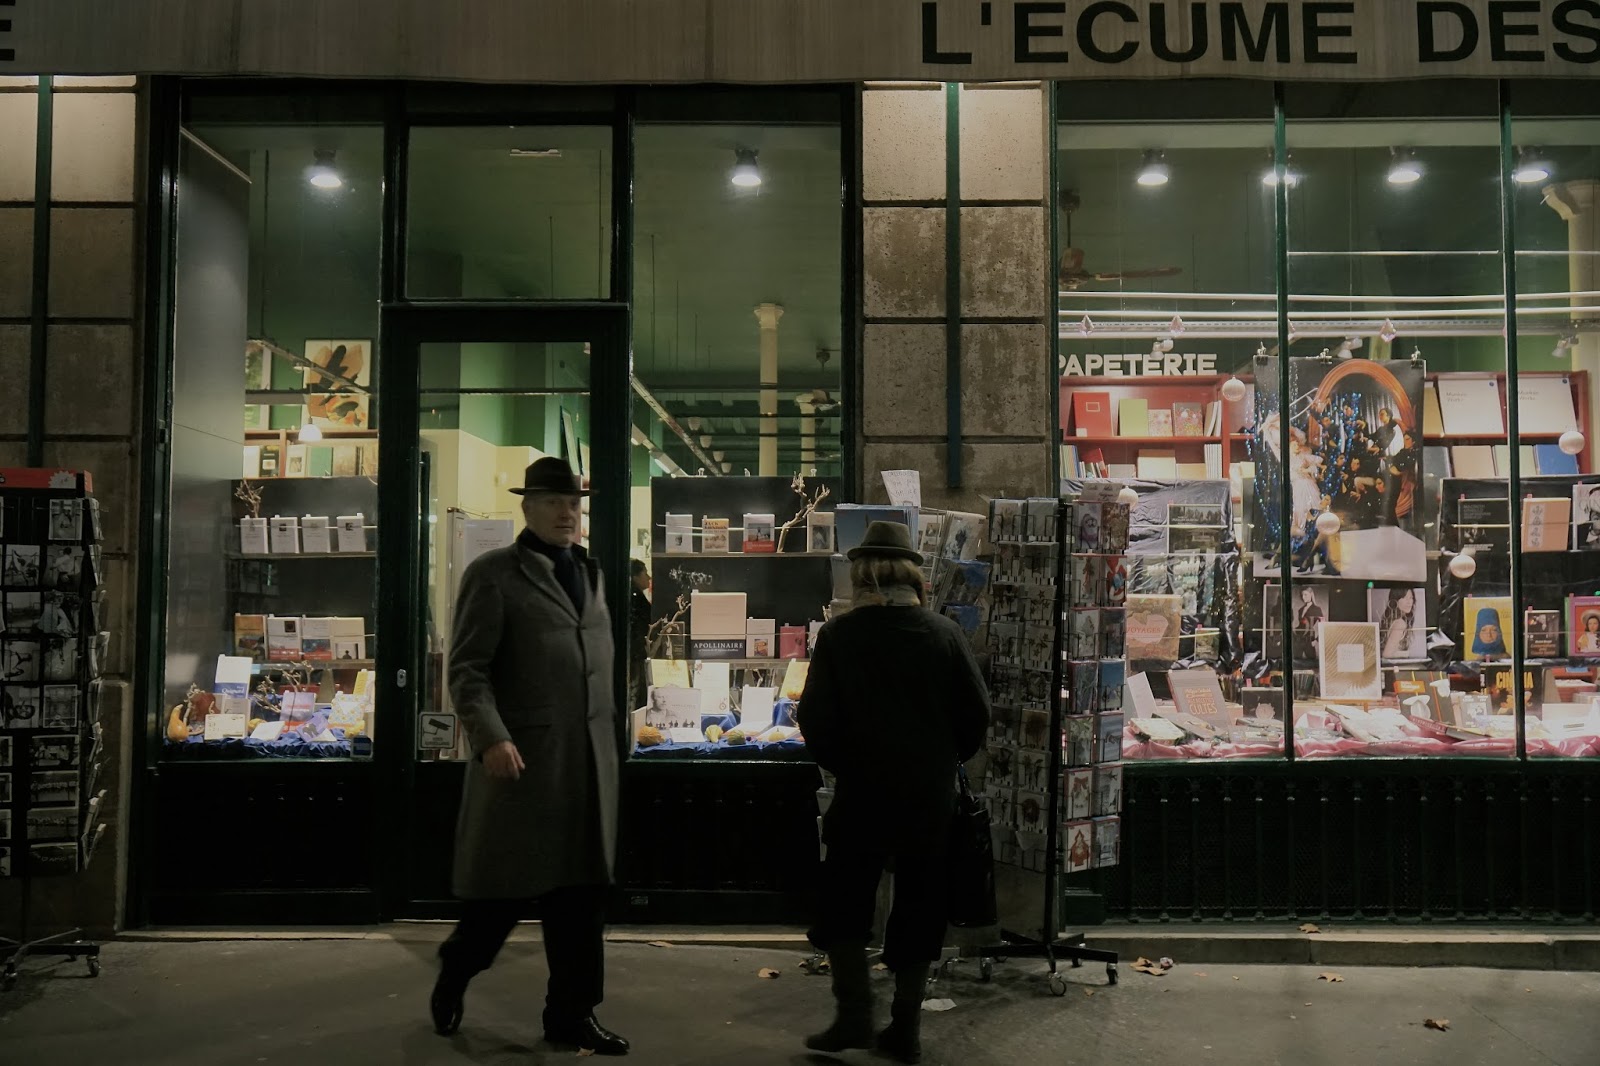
{"points": [[527, 668]]}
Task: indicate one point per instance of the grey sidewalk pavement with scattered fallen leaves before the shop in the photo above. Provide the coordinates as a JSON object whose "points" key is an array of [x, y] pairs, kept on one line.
{"points": [[362, 1000]]}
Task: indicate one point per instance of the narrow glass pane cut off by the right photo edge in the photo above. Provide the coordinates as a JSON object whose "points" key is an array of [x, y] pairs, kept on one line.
{"points": [[1556, 185]]}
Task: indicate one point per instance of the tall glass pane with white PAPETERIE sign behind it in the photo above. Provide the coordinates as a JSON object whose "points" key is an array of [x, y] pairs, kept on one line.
{"points": [[1166, 295]]}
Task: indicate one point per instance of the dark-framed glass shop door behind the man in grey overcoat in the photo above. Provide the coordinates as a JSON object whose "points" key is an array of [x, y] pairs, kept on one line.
{"points": [[494, 388]]}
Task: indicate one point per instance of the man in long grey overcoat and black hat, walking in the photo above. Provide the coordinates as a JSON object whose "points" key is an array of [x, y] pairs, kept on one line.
{"points": [[530, 676]]}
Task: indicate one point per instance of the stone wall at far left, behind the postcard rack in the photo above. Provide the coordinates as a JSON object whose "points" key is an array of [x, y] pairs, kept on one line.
{"points": [[92, 385]]}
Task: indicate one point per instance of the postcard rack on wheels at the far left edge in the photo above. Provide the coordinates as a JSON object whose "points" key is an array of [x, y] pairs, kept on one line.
{"points": [[52, 654]]}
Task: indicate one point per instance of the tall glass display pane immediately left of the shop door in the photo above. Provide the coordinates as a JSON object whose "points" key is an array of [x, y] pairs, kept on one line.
{"points": [[273, 556]]}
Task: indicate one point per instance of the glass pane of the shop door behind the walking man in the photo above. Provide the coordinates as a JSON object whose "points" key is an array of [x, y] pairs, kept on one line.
{"points": [[487, 412]]}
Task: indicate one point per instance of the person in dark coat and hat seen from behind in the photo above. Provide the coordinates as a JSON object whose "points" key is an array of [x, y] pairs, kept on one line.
{"points": [[894, 702]]}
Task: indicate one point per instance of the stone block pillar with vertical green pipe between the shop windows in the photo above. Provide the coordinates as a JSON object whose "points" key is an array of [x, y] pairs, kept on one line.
{"points": [[1007, 311]]}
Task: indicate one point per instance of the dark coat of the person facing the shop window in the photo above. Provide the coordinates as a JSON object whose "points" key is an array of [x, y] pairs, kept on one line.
{"points": [[894, 702]]}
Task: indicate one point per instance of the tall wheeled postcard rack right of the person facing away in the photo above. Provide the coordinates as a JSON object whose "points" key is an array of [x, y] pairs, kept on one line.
{"points": [[1054, 769]]}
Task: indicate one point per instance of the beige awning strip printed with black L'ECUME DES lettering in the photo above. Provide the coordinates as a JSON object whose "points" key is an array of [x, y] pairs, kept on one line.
{"points": [[804, 41]]}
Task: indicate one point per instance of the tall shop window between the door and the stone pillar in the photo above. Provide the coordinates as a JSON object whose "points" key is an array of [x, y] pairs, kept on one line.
{"points": [[737, 347]]}
